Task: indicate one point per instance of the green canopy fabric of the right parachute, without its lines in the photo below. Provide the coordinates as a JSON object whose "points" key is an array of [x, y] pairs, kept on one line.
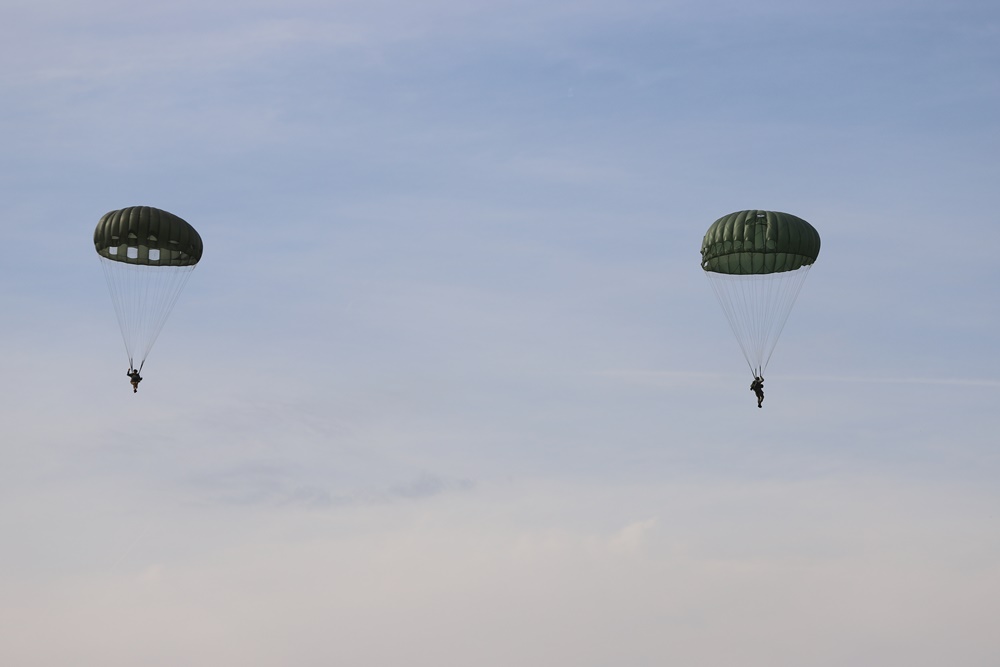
{"points": [[755, 242]]}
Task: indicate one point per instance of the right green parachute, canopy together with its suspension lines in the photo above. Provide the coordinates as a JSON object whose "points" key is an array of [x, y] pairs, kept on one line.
{"points": [[757, 262]]}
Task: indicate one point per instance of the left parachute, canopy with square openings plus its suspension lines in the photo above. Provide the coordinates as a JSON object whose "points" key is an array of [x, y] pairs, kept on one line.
{"points": [[147, 255]]}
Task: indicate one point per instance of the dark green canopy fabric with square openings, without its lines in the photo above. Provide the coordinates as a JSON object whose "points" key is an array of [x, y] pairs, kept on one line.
{"points": [[146, 228]]}
